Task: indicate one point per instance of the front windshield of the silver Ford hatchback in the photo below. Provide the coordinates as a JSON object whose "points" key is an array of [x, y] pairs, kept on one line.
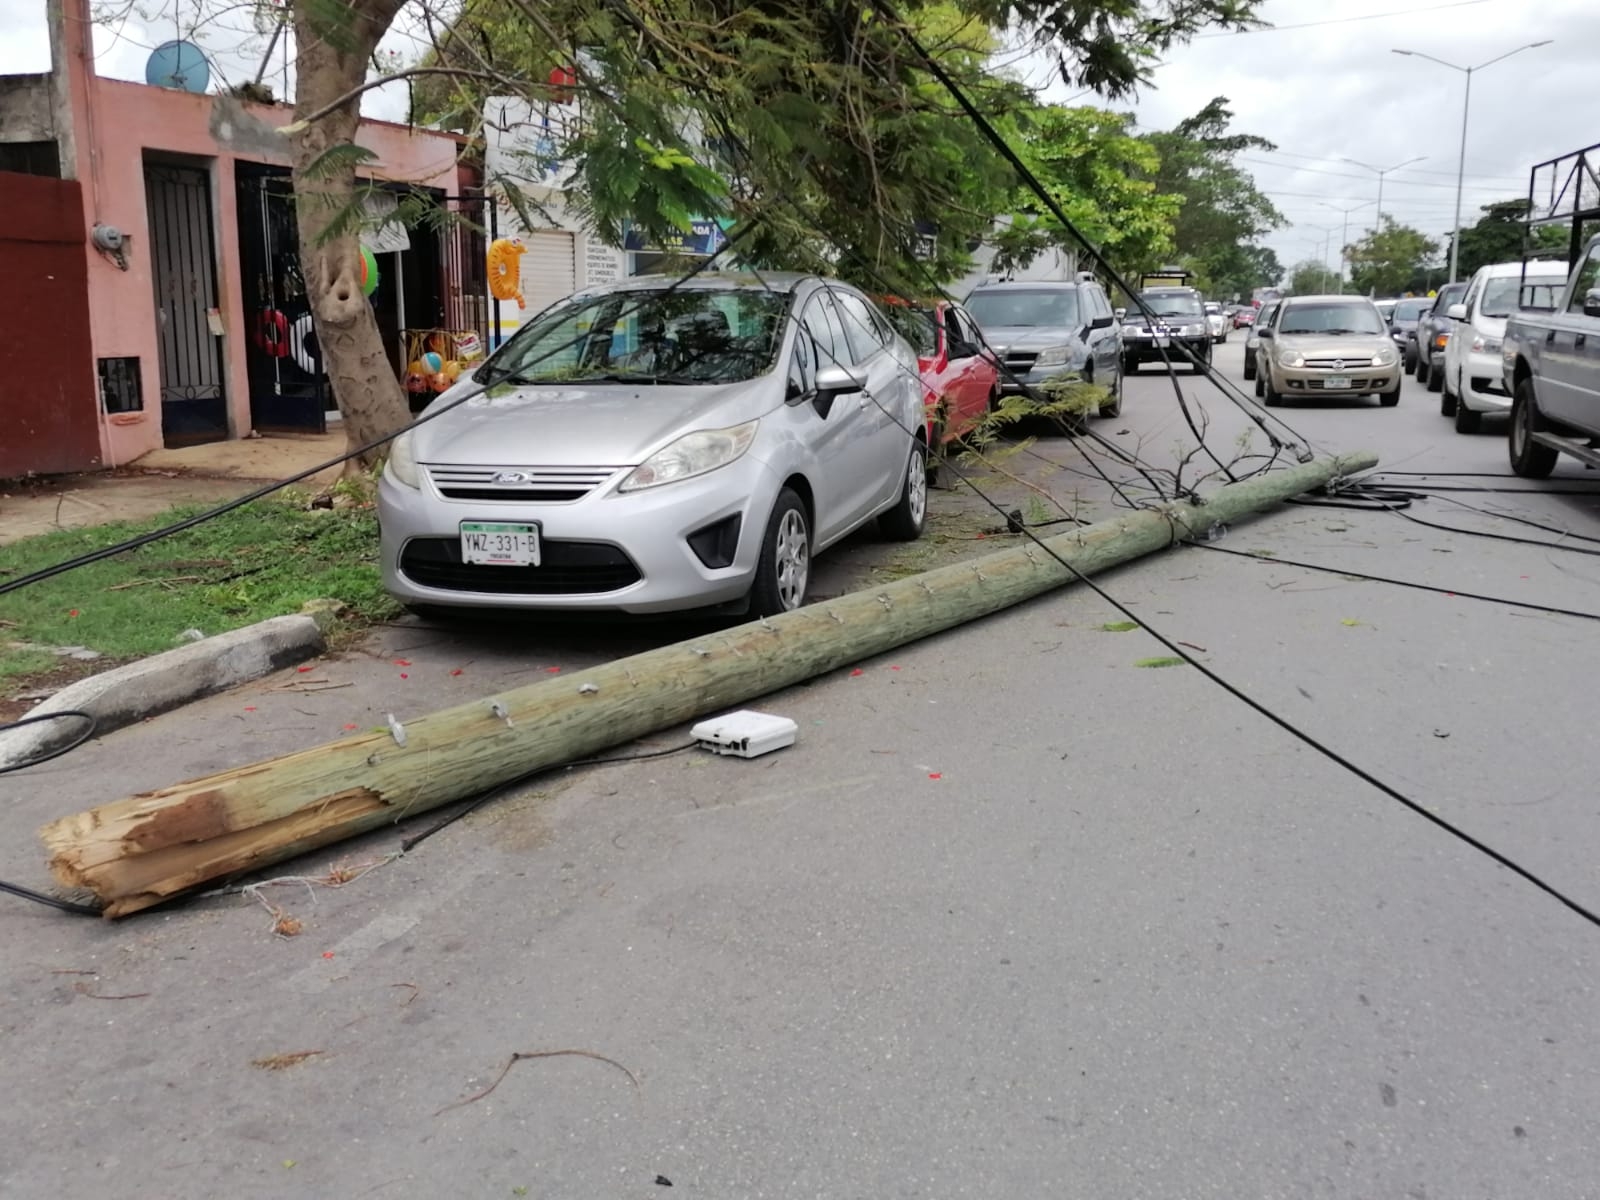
{"points": [[690, 337]]}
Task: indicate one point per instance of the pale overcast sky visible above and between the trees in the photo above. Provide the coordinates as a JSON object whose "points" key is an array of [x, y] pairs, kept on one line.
{"points": [[1322, 86]]}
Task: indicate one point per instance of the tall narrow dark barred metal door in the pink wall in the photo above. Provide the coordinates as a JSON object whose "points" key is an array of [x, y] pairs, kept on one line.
{"points": [[194, 404]]}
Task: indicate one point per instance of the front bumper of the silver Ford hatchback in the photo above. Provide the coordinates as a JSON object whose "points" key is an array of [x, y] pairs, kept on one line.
{"points": [[604, 553]]}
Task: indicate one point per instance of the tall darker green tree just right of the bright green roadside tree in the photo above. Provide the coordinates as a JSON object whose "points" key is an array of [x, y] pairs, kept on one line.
{"points": [[1223, 210]]}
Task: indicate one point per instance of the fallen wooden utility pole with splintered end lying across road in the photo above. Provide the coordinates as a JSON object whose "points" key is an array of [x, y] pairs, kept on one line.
{"points": [[138, 852]]}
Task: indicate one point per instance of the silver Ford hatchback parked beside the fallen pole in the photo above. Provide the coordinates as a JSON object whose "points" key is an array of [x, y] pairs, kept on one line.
{"points": [[649, 449]]}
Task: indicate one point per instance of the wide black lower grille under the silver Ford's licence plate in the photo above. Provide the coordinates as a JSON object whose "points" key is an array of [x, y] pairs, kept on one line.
{"points": [[566, 569]]}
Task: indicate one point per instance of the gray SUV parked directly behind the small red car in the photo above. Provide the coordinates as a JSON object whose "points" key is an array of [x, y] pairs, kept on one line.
{"points": [[1049, 330]]}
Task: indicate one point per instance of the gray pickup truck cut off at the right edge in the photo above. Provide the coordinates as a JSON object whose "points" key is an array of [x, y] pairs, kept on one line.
{"points": [[1553, 374]]}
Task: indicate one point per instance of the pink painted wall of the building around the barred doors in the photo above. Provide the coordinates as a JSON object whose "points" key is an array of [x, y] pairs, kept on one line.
{"points": [[116, 126]]}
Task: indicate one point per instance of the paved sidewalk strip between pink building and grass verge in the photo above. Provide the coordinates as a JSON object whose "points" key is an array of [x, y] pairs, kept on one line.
{"points": [[164, 479]]}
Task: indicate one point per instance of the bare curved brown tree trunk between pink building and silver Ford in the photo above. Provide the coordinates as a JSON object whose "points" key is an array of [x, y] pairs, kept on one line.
{"points": [[335, 46]]}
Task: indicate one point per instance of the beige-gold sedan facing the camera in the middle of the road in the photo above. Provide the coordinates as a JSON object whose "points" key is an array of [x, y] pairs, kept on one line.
{"points": [[1326, 346]]}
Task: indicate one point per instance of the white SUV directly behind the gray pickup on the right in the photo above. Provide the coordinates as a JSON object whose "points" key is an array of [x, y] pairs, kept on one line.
{"points": [[1474, 375]]}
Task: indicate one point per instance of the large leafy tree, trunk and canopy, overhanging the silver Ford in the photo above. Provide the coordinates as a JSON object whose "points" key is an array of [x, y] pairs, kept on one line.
{"points": [[834, 142]]}
